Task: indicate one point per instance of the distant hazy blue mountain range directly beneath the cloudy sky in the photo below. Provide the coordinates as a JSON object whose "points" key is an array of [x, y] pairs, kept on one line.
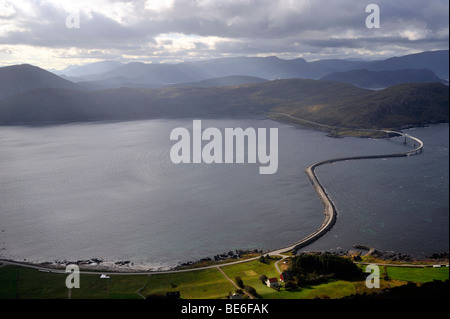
{"points": [[269, 68]]}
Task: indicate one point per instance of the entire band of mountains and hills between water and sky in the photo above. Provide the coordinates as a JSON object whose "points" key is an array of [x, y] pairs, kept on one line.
{"points": [[29, 94]]}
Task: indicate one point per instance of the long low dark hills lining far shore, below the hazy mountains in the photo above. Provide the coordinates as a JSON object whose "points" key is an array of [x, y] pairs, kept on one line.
{"points": [[330, 103]]}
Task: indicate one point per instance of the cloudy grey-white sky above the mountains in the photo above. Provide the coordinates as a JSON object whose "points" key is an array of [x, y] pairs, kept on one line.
{"points": [[57, 33]]}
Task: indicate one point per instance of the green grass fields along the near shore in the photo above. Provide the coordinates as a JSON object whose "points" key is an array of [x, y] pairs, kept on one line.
{"points": [[25, 283]]}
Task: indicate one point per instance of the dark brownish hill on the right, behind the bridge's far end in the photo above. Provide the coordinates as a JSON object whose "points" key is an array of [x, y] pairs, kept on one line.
{"points": [[397, 106]]}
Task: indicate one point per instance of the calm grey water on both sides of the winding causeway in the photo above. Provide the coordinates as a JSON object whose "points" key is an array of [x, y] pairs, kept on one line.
{"points": [[110, 191]]}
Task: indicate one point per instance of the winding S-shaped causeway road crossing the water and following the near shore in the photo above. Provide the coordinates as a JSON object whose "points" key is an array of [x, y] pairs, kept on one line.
{"points": [[329, 213]]}
